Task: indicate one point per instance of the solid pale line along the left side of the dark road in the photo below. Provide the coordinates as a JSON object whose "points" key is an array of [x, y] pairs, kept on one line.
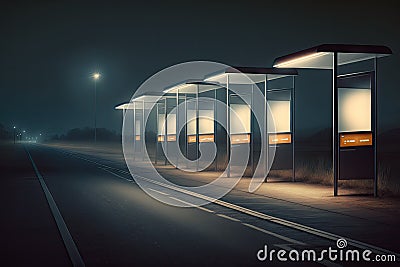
{"points": [[69, 243]]}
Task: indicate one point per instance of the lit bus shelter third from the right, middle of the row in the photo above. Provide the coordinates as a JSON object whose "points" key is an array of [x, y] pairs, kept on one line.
{"points": [[195, 111]]}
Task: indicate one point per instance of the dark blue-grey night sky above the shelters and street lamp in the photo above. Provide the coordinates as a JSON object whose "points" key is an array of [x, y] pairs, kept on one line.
{"points": [[49, 49]]}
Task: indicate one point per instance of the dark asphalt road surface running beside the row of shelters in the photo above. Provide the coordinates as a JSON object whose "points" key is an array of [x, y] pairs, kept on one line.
{"points": [[112, 222]]}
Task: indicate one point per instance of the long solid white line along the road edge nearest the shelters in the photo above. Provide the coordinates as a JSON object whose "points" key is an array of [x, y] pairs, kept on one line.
{"points": [[260, 215]]}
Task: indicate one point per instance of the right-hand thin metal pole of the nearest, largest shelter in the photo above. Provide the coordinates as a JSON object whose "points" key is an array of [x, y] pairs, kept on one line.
{"points": [[375, 130]]}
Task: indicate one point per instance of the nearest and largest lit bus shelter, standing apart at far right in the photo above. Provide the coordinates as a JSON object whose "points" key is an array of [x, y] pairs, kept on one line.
{"points": [[354, 90]]}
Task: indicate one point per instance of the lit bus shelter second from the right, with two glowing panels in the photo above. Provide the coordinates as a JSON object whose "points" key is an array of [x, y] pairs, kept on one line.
{"points": [[244, 86]]}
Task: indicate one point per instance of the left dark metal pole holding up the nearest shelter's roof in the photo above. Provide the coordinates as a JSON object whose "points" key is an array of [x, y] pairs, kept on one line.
{"points": [[335, 126]]}
